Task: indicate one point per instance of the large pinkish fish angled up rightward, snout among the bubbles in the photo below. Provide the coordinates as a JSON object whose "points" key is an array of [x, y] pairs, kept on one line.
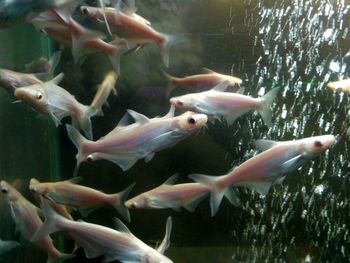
{"points": [[264, 169]]}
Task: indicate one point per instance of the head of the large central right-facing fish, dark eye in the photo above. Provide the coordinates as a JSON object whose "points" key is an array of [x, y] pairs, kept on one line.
{"points": [[190, 121]]}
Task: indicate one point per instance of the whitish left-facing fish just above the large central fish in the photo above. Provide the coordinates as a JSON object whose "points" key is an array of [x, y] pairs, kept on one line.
{"points": [[217, 103]]}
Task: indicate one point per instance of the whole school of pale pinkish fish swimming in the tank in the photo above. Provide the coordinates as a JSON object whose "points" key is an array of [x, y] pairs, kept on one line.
{"points": [[125, 32]]}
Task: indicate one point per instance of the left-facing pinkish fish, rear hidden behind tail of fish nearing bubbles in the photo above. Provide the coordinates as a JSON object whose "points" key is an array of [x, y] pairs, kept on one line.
{"points": [[170, 195]]}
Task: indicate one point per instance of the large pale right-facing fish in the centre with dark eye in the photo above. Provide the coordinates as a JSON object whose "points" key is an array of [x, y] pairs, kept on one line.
{"points": [[126, 144]]}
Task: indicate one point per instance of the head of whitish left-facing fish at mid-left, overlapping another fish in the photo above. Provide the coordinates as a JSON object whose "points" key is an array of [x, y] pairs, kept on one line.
{"points": [[34, 96]]}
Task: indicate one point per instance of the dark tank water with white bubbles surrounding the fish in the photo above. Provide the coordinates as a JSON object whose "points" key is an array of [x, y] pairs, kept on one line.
{"points": [[297, 45]]}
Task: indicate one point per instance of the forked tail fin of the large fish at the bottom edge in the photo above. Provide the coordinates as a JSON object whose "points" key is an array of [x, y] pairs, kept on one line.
{"points": [[51, 224]]}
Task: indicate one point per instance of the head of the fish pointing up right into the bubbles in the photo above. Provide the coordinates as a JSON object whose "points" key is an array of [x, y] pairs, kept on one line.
{"points": [[318, 144]]}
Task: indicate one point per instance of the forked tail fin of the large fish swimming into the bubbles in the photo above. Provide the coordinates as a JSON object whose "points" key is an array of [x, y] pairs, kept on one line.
{"points": [[217, 193]]}
